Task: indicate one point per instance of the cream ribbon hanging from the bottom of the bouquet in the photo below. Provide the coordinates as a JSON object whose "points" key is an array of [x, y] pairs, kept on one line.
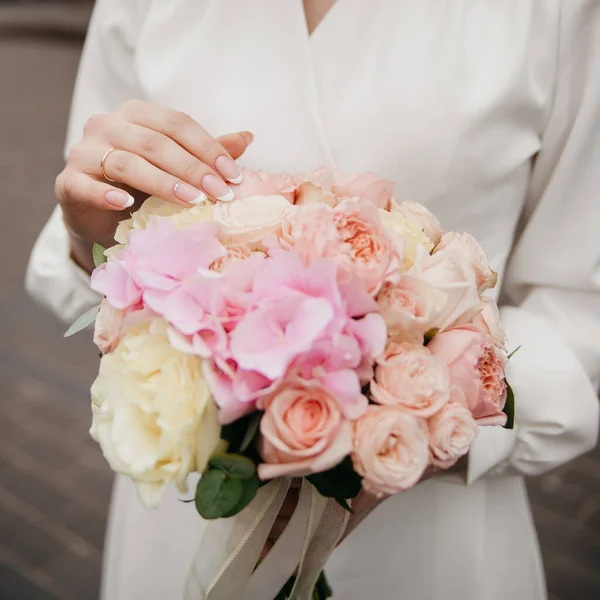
{"points": [[224, 566]]}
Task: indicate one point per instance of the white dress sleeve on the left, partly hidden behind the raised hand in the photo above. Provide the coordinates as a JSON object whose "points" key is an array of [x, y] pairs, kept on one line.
{"points": [[105, 79]]}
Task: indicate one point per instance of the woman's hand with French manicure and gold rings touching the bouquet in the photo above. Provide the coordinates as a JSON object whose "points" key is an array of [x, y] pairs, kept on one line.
{"points": [[157, 152]]}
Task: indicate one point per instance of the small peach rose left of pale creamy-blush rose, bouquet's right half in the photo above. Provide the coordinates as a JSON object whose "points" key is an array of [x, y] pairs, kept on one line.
{"points": [[409, 307]]}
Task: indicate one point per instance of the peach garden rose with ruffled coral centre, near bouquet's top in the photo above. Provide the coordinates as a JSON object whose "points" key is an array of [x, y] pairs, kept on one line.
{"points": [[368, 253]]}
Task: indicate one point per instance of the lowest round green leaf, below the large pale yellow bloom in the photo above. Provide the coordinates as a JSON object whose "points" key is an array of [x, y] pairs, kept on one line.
{"points": [[217, 495]]}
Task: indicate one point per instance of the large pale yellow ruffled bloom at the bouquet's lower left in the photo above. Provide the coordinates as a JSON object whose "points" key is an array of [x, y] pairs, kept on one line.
{"points": [[153, 413]]}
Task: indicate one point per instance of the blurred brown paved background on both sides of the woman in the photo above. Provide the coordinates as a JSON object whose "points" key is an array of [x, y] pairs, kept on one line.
{"points": [[54, 484]]}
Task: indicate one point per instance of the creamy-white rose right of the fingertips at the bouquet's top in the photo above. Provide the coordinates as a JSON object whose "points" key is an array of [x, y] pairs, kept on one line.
{"points": [[250, 220]]}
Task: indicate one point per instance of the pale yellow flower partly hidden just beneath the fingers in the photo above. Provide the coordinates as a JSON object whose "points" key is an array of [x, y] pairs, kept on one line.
{"points": [[155, 207]]}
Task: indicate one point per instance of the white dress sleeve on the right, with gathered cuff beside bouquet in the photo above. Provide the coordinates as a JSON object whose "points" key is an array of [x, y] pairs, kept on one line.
{"points": [[552, 283]]}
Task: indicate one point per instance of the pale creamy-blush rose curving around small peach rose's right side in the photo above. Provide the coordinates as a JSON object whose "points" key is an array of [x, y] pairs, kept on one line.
{"points": [[456, 279]]}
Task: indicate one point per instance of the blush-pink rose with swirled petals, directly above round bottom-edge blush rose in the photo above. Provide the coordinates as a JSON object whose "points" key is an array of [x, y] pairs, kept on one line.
{"points": [[409, 376]]}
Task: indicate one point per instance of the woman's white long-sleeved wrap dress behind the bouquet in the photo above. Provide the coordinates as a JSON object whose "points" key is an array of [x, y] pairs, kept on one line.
{"points": [[488, 112]]}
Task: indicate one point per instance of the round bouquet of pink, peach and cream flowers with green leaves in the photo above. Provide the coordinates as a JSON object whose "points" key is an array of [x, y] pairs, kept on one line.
{"points": [[314, 327]]}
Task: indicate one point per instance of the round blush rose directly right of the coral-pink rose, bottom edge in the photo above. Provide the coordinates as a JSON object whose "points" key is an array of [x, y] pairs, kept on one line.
{"points": [[390, 450]]}
